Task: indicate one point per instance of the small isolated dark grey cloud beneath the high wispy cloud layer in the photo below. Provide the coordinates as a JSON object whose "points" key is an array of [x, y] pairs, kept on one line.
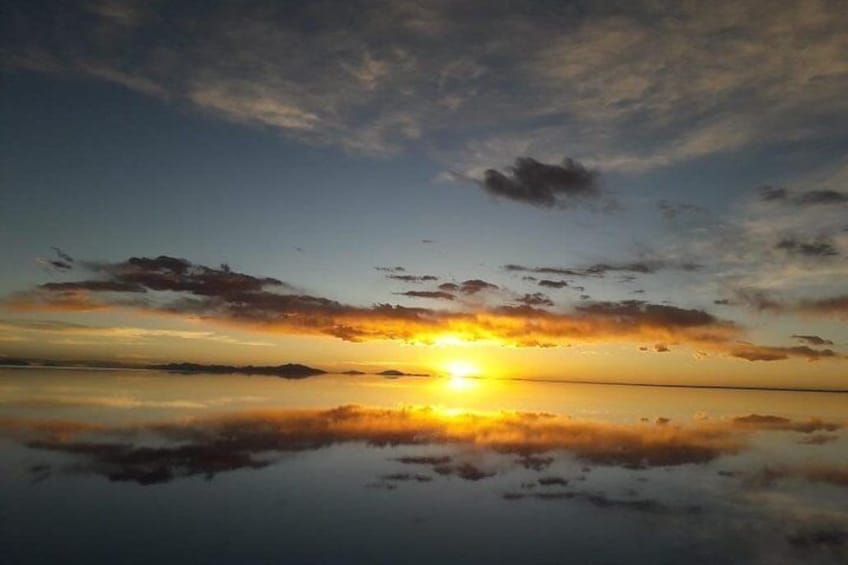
{"points": [[540, 184]]}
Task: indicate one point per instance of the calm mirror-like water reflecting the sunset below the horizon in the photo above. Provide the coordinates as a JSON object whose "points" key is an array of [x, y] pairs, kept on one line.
{"points": [[141, 467]]}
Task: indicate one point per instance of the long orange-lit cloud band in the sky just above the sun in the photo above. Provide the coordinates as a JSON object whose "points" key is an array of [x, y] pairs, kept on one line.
{"points": [[176, 287]]}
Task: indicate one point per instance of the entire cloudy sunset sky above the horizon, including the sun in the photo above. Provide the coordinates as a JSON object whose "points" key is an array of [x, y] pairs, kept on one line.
{"points": [[640, 191]]}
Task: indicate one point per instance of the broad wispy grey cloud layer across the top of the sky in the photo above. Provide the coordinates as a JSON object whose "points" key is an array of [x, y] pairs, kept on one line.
{"points": [[630, 86]]}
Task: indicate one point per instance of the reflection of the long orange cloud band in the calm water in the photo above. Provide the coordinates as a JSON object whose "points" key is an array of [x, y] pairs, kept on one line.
{"points": [[253, 439]]}
